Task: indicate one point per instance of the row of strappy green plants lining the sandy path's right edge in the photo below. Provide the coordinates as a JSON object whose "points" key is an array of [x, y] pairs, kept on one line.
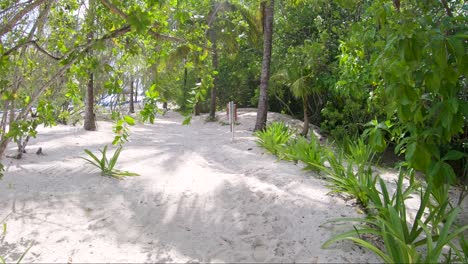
{"points": [[431, 236]]}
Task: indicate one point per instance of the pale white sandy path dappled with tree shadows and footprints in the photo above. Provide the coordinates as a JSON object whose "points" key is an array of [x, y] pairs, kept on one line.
{"points": [[200, 198]]}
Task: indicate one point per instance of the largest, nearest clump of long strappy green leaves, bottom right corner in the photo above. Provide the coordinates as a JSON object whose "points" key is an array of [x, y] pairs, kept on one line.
{"points": [[403, 239]]}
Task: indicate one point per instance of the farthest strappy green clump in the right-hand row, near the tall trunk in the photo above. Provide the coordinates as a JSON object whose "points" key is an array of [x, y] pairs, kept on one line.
{"points": [[274, 138]]}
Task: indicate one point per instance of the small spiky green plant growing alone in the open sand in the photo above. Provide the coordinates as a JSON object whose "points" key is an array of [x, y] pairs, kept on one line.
{"points": [[107, 166]]}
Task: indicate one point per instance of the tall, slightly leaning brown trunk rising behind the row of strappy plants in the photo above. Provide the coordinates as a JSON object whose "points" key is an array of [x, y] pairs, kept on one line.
{"points": [[265, 76]]}
